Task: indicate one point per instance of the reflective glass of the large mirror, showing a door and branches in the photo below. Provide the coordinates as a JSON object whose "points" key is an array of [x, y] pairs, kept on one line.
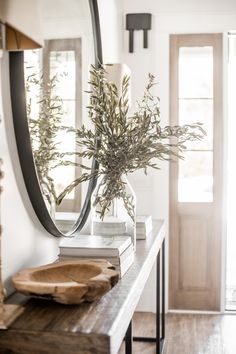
{"points": [[56, 77]]}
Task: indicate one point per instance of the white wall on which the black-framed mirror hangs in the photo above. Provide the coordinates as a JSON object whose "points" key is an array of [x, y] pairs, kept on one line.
{"points": [[25, 242]]}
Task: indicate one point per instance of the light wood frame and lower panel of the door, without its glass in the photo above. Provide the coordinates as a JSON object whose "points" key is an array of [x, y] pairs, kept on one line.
{"points": [[196, 228]]}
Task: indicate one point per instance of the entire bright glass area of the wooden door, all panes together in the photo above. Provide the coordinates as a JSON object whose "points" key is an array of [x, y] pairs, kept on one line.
{"points": [[195, 104]]}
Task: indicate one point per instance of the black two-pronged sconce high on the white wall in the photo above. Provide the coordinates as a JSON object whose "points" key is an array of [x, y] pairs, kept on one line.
{"points": [[138, 22]]}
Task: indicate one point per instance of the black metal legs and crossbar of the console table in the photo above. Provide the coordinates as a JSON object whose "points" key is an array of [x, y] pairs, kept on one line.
{"points": [[160, 310]]}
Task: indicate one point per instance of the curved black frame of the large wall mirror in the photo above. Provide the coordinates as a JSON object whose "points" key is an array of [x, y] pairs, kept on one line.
{"points": [[18, 102]]}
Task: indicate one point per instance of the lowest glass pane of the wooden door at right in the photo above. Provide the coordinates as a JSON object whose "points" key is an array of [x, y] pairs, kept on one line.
{"points": [[195, 182]]}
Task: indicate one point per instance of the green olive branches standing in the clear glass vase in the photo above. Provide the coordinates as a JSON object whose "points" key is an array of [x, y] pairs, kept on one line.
{"points": [[122, 144]]}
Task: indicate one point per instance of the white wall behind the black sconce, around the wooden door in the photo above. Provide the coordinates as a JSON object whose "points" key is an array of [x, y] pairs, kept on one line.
{"points": [[168, 17]]}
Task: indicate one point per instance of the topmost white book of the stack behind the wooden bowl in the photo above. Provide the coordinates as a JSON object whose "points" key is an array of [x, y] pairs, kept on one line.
{"points": [[86, 245]]}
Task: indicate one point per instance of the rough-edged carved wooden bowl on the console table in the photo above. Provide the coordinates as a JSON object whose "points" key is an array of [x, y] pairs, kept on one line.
{"points": [[69, 282]]}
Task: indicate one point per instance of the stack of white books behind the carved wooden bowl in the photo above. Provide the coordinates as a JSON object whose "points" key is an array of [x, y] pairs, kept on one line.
{"points": [[118, 250]]}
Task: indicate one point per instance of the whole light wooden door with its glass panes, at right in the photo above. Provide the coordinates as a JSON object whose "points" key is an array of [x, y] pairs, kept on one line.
{"points": [[196, 182]]}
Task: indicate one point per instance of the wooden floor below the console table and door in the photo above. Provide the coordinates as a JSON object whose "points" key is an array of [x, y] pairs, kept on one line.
{"points": [[188, 334]]}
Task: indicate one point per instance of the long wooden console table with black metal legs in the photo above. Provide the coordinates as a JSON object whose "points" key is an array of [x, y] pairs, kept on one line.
{"points": [[100, 327]]}
